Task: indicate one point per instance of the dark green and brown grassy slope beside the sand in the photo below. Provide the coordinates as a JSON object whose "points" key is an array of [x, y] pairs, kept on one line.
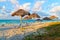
{"points": [[52, 33]]}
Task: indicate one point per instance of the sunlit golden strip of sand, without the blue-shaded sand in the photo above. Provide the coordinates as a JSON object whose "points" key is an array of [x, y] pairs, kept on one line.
{"points": [[7, 33]]}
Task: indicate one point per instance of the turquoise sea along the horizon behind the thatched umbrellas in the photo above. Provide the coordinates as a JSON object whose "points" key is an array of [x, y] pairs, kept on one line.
{"points": [[24, 21]]}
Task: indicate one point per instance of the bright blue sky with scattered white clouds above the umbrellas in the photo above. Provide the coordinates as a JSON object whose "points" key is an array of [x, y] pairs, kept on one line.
{"points": [[41, 7]]}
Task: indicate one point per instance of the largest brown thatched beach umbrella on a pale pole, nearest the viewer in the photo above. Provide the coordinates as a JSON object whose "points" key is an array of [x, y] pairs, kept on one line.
{"points": [[21, 13]]}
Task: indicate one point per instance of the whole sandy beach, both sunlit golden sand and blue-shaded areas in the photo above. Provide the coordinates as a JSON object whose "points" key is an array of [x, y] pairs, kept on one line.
{"points": [[7, 33]]}
